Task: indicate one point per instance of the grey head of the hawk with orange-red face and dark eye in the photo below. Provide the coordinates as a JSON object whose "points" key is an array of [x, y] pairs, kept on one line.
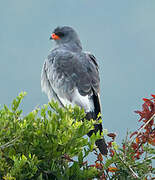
{"points": [[65, 34]]}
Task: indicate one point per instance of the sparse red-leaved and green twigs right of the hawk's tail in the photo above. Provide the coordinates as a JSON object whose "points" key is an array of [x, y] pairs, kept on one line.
{"points": [[132, 160]]}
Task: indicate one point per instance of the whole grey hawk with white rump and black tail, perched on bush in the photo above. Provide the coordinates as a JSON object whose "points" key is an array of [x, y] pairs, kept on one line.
{"points": [[71, 77]]}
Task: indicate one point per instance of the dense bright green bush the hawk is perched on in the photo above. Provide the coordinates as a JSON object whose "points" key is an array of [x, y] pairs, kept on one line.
{"points": [[35, 146]]}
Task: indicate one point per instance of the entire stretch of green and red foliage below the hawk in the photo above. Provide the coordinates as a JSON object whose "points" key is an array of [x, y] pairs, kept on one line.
{"points": [[50, 143]]}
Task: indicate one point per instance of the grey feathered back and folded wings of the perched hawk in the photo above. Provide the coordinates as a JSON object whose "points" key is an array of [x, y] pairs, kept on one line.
{"points": [[66, 71]]}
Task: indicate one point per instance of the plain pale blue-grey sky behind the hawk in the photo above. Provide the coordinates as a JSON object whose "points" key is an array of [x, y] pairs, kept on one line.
{"points": [[121, 35]]}
